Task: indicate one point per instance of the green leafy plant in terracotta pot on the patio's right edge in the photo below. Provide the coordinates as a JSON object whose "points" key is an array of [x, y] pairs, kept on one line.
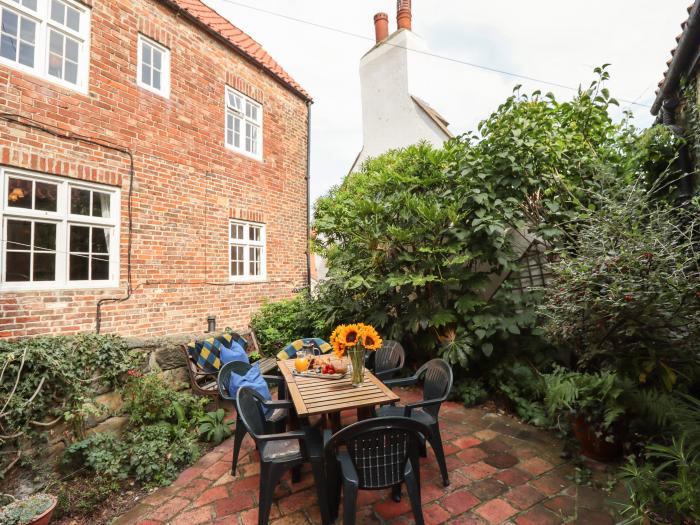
{"points": [[593, 405]]}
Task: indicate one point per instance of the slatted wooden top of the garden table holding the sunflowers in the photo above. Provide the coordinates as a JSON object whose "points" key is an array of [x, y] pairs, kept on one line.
{"points": [[315, 396]]}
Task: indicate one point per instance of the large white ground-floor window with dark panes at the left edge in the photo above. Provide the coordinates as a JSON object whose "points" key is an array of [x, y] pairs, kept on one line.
{"points": [[57, 233]]}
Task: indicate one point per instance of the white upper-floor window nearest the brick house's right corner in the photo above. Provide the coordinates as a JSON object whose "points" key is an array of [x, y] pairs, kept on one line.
{"points": [[244, 124]]}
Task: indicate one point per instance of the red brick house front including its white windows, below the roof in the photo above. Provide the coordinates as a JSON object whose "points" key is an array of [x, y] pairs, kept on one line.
{"points": [[153, 169]]}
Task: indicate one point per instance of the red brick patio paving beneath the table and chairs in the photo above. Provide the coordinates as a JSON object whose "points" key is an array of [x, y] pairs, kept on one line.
{"points": [[501, 471]]}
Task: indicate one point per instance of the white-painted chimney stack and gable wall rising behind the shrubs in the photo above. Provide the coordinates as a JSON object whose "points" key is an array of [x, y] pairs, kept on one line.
{"points": [[390, 118]]}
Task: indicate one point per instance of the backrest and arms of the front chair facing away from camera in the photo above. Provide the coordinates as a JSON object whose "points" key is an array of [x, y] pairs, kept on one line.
{"points": [[379, 449]]}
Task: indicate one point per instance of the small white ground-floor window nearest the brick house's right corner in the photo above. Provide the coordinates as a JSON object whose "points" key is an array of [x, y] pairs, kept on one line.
{"points": [[247, 260]]}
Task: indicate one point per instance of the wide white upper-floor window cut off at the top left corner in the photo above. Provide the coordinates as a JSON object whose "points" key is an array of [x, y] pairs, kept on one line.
{"points": [[48, 38]]}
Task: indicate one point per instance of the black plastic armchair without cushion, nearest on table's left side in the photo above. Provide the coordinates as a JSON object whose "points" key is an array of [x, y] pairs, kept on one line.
{"points": [[280, 452]]}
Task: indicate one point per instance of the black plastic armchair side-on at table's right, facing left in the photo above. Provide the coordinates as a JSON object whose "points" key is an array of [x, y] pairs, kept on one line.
{"points": [[437, 379]]}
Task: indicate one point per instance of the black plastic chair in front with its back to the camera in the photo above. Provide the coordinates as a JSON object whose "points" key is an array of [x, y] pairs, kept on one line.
{"points": [[375, 454]]}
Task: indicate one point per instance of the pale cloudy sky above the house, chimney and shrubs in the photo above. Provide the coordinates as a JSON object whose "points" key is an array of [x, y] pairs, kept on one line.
{"points": [[559, 41]]}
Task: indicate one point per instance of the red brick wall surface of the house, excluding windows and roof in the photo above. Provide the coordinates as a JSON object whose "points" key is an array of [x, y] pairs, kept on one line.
{"points": [[180, 215]]}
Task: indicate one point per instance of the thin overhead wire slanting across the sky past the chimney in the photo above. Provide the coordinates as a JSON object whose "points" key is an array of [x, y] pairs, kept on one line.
{"points": [[475, 65]]}
